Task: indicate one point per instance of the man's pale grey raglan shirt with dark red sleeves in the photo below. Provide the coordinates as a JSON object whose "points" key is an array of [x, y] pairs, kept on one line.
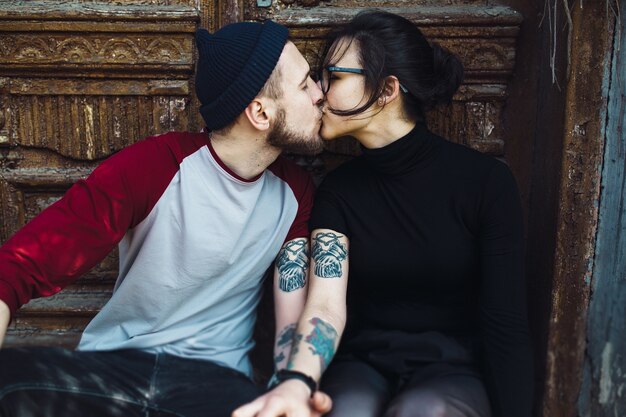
{"points": [[195, 241]]}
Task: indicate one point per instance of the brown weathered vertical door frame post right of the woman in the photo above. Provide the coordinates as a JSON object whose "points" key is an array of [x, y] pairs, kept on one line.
{"points": [[577, 217]]}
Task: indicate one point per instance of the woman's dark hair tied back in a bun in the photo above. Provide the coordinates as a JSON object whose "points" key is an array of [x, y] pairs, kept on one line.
{"points": [[391, 45]]}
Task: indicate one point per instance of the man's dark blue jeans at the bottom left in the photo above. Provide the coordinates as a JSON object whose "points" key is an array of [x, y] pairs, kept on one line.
{"points": [[59, 382]]}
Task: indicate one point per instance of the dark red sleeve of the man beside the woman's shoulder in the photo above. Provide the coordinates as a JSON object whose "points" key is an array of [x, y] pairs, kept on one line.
{"points": [[303, 188]]}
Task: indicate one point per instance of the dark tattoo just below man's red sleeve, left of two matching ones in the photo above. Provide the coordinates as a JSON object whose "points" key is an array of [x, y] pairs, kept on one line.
{"points": [[293, 265]]}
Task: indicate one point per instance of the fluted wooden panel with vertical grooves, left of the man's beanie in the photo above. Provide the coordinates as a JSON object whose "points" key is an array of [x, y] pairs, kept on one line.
{"points": [[81, 120]]}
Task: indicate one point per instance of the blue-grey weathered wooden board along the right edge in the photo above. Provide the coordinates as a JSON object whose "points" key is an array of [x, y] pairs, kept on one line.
{"points": [[603, 392]]}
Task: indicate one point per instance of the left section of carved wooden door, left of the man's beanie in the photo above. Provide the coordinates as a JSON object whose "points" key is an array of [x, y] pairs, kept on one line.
{"points": [[78, 82]]}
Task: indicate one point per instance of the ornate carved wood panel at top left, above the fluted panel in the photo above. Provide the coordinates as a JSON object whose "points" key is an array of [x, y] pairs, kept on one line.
{"points": [[96, 40]]}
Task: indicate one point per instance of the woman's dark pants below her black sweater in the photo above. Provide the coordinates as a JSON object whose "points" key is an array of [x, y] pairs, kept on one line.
{"points": [[393, 374]]}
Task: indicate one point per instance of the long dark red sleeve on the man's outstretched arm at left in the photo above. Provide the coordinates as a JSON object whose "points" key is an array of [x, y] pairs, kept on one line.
{"points": [[72, 235]]}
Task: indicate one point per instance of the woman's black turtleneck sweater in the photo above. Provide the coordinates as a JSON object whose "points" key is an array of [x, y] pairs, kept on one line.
{"points": [[436, 244]]}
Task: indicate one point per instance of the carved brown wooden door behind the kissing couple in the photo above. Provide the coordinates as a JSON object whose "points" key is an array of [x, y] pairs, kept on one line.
{"points": [[80, 80]]}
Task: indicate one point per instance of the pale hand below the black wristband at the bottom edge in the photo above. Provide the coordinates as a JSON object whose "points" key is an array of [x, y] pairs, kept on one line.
{"points": [[289, 399]]}
